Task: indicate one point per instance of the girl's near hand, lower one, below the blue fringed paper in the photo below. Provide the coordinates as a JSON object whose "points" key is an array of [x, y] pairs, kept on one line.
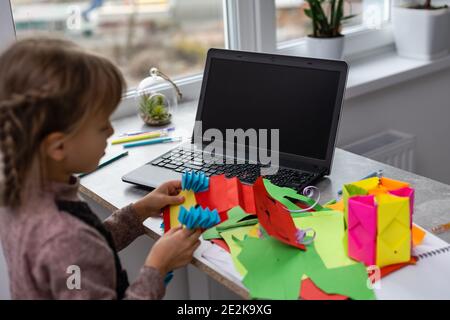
{"points": [[173, 250]]}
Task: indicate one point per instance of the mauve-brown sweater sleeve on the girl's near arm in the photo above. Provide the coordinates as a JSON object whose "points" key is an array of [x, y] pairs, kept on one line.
{"points": [[81, 266]]}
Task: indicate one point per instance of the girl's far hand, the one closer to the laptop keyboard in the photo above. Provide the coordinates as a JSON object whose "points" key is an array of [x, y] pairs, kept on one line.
{"points": [[152, 204]]}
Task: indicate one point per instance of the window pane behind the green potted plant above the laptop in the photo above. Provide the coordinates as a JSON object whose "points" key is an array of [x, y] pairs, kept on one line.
{"points": [[292, 23]]}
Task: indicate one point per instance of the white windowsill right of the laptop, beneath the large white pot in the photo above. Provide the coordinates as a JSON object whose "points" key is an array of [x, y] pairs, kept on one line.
{"points": [[386, 69]]}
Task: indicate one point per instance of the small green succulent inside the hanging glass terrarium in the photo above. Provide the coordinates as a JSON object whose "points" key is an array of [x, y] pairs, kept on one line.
{"points": [[154, 109]]}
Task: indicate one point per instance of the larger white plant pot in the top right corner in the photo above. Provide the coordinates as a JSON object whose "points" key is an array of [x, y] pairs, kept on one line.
{"points": [[421, 34]]}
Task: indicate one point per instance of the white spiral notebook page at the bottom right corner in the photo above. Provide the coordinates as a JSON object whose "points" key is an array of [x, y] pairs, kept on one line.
{"points": [[428, 279]]}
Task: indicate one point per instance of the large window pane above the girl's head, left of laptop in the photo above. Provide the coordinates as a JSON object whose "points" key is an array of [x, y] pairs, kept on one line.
{"points": [[173, 35]]}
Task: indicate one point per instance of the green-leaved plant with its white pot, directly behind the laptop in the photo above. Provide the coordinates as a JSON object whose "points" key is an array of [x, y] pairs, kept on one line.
{"points": [[327, 17]]}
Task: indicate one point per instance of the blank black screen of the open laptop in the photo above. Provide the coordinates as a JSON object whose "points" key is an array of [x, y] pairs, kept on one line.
{"points": [[298, 101]]}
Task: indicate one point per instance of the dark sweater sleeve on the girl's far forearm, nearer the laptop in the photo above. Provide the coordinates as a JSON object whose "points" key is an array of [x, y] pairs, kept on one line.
{"points": [[125, 226]]}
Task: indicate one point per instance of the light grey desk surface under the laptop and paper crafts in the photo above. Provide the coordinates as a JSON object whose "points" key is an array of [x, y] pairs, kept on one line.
{"points": [[432, 203]]}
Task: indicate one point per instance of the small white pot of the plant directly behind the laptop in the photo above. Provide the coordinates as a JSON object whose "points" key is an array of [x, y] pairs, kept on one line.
{"points": [[325, 48]]}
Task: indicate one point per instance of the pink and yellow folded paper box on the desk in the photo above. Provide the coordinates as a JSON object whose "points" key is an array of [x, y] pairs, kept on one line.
{"points": [[378, 212]]}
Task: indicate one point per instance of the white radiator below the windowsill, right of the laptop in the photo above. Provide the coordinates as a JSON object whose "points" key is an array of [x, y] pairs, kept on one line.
{"points": [[391, 147]]}
